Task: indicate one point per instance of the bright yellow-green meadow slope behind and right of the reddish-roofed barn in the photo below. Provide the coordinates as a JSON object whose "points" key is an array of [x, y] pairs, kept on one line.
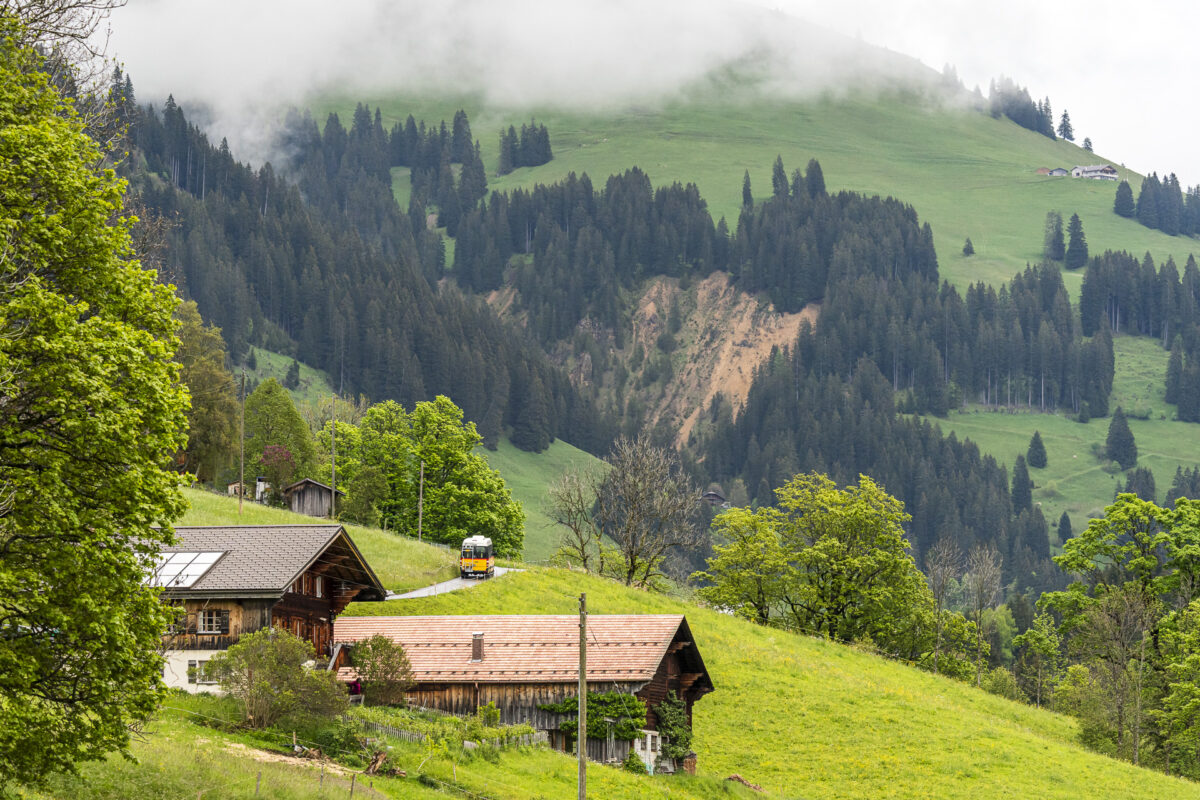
{"points": [[812, 719]]}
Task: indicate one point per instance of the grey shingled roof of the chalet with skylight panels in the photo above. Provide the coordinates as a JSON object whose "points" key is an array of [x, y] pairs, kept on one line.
{"points": [[263, 561]]}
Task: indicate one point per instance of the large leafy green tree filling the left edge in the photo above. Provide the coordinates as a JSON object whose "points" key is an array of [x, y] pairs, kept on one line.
{"points": [[92, 411]]}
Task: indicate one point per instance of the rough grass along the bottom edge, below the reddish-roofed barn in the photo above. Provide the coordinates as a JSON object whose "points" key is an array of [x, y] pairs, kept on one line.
{"points": [[177, 757]]}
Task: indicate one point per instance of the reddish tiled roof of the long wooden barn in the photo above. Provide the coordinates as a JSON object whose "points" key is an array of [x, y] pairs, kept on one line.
{"points": [[526, 649]]}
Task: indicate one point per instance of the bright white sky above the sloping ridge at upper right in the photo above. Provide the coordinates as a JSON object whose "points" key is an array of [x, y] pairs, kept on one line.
{"points": [[1125, 71]]}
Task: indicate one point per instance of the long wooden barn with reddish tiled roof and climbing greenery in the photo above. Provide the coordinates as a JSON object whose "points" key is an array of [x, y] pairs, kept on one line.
{"points": [[521, 663]]}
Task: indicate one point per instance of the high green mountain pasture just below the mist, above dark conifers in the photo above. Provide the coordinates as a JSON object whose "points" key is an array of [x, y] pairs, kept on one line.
{"points": [[965, 173]]}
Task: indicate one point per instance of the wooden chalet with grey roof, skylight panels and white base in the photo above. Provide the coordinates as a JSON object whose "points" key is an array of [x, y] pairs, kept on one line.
{"points": [[239, 580]]}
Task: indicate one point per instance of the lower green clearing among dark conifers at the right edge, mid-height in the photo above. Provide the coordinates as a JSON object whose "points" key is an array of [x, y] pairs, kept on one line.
{"points": [[1077, 480]]}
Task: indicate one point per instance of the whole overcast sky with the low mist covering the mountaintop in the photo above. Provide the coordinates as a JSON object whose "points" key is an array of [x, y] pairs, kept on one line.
{"points": [[1124, 71]]}
